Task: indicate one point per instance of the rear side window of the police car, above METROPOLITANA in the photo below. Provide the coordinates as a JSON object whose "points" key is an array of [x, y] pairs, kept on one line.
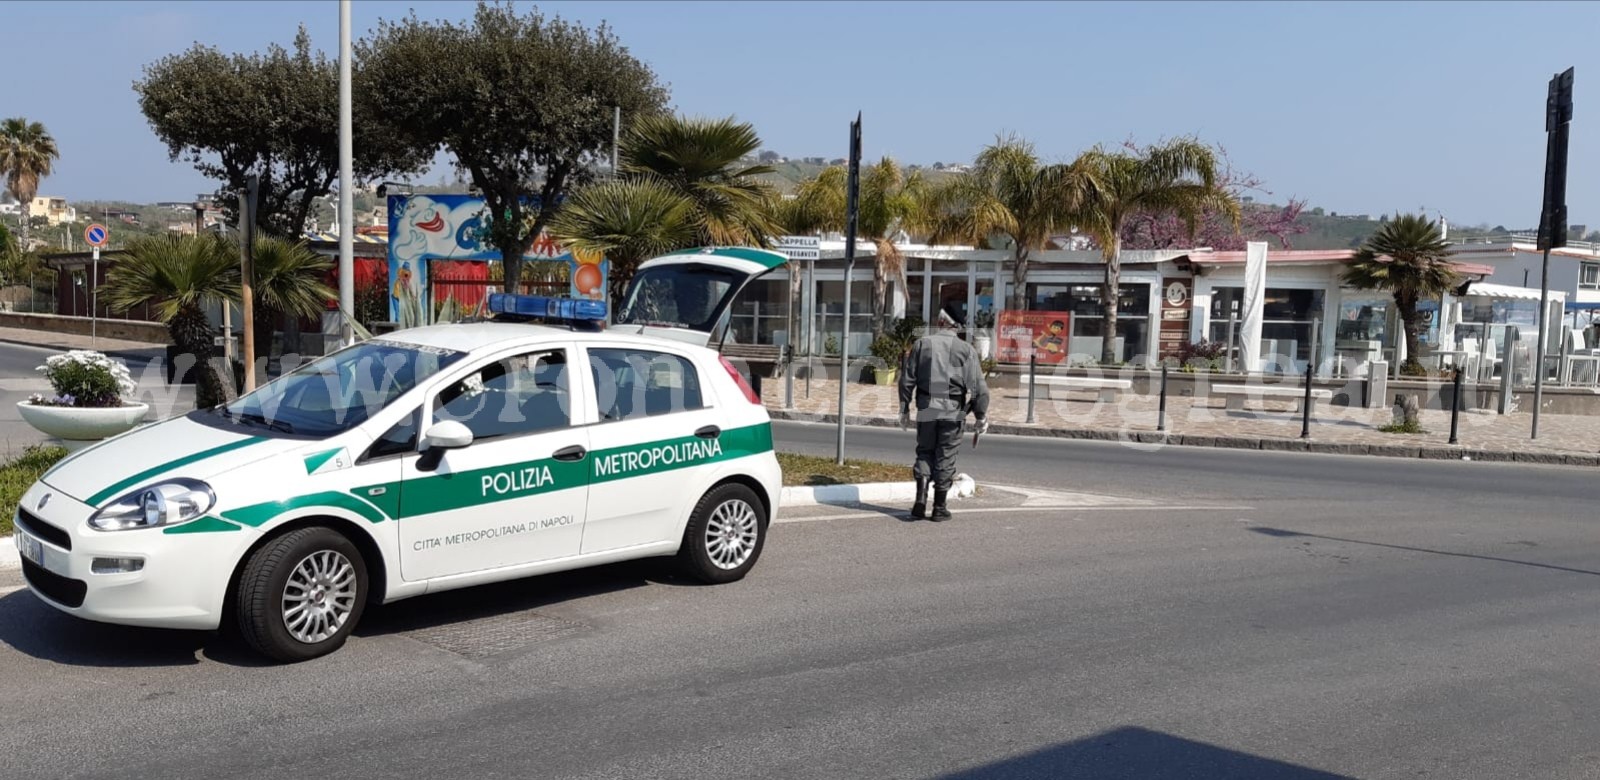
{"points": [[633, 383]]}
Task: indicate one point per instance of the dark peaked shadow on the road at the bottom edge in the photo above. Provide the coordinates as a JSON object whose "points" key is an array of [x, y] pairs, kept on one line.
{"points": [[1140, 754]]}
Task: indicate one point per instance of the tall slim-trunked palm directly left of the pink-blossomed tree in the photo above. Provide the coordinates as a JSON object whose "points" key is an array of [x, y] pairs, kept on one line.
{"points": [[1174, 178]]}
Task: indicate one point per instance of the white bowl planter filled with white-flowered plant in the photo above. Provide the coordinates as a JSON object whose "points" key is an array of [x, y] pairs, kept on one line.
{"points": [[89, 402]]}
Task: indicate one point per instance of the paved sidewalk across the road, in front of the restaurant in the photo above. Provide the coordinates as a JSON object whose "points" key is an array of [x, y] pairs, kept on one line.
{"points": [[1484, 436]]}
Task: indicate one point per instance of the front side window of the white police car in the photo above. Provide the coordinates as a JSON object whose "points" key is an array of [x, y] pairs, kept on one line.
{"points": [[524, 394]]}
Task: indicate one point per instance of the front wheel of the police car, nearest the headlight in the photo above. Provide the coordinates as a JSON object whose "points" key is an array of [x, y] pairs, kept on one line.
{"points": [[302, 595]]}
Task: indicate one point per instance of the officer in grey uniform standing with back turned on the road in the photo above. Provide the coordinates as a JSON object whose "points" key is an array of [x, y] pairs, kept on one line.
{"points": [[945, 378]]}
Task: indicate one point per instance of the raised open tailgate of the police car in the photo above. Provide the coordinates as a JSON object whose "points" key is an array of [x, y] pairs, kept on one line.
{"points": [[689, 295]]}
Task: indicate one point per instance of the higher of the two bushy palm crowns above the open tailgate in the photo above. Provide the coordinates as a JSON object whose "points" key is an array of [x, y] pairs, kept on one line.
{"points": [[705, 162]]}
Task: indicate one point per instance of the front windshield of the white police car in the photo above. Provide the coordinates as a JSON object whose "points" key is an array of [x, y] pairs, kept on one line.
{"points": [[342, 391]]}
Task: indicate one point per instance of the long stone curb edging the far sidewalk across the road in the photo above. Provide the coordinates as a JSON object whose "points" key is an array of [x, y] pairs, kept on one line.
{"points": [[1276, 445]]}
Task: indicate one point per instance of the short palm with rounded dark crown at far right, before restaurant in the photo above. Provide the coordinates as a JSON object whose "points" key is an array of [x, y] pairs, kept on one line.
{"points": [[1412, 261]]}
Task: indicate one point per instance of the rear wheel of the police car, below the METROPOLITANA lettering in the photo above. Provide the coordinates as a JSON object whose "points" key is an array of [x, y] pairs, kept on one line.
{"points": [[726, 535]]}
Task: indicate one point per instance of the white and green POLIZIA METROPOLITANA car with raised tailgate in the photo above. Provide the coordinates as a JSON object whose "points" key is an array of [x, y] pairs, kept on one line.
{"points": [[428, 460]]}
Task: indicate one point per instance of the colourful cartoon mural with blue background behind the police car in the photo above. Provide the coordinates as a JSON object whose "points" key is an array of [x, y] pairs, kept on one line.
{"points": [[450, 229]]}
